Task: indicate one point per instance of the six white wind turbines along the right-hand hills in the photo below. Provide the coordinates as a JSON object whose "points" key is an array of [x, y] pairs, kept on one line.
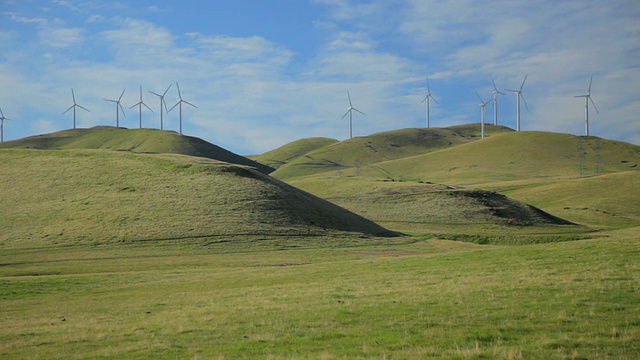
{"points": [[519, 95]]}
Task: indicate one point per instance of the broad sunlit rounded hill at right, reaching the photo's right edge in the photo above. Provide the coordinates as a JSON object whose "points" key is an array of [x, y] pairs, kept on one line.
{"points": [[515, 156]]}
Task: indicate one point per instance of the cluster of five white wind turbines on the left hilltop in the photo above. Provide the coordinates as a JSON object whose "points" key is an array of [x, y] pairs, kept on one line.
{"points": [[139, 104]]}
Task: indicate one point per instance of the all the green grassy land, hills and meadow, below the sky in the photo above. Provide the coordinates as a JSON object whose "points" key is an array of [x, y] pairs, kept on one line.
{"points": [[143, 253]]}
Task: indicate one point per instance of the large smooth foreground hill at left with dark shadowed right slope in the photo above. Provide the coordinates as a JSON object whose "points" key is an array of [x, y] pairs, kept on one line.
{"points": [[96, 196]]}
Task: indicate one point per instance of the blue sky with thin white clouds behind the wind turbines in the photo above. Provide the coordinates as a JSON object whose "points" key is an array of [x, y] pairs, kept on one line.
{"points": [[264, 73]]}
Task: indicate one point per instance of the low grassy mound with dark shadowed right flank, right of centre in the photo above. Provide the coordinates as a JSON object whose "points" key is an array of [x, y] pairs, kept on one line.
{"points": [[421, 207]]}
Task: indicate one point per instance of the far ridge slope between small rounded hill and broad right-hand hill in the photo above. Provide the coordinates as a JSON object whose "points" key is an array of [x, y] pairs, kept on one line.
{"points": [[379, 147]]}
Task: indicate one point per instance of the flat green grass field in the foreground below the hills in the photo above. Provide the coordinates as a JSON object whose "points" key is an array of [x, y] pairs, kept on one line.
{"points": [[402, 298]]}
